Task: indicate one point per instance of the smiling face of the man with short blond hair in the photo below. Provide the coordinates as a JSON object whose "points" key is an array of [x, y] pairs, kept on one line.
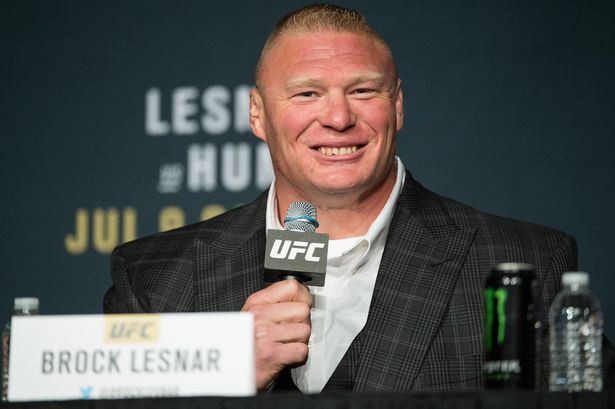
{"points": [[328, 105]]}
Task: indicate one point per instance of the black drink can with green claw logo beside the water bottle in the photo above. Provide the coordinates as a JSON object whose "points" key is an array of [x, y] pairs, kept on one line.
{"points": [[512, 327]]}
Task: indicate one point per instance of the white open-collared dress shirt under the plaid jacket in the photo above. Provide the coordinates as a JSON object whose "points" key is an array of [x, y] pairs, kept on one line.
{"points": [[341, 307]]}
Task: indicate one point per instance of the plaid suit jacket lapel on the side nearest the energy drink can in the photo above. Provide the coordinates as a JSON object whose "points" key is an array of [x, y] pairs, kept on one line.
{"points": [[422, 258]]}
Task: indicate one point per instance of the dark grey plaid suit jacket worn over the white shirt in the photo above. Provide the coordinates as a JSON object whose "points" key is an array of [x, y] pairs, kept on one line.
{"points": [[425, 326]]}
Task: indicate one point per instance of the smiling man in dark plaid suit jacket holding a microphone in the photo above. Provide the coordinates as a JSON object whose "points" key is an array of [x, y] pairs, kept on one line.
{"points": [[402, 308]]}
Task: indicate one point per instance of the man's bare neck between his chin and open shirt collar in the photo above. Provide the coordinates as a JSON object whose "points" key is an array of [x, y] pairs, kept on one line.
{"points": [[343, 215]]}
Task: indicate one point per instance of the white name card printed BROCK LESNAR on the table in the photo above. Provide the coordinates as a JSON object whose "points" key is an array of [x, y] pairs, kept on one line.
{"points": [[131, 356]]}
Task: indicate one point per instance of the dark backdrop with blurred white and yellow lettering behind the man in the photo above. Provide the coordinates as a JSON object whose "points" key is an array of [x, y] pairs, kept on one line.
{"points": [[119, 119]]}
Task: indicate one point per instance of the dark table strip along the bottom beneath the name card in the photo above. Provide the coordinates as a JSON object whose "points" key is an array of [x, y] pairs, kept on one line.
{"points": [[449, 400]]}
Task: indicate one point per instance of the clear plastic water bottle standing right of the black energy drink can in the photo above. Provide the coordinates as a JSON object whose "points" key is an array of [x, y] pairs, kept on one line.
{"points": [[575, 332]]}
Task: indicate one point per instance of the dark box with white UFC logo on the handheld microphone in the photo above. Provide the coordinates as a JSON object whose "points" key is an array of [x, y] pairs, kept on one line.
{"points": [[293, 251]]}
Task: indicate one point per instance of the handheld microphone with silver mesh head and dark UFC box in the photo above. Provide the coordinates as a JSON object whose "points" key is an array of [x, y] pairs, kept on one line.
{"points": [[297, 252]]}
